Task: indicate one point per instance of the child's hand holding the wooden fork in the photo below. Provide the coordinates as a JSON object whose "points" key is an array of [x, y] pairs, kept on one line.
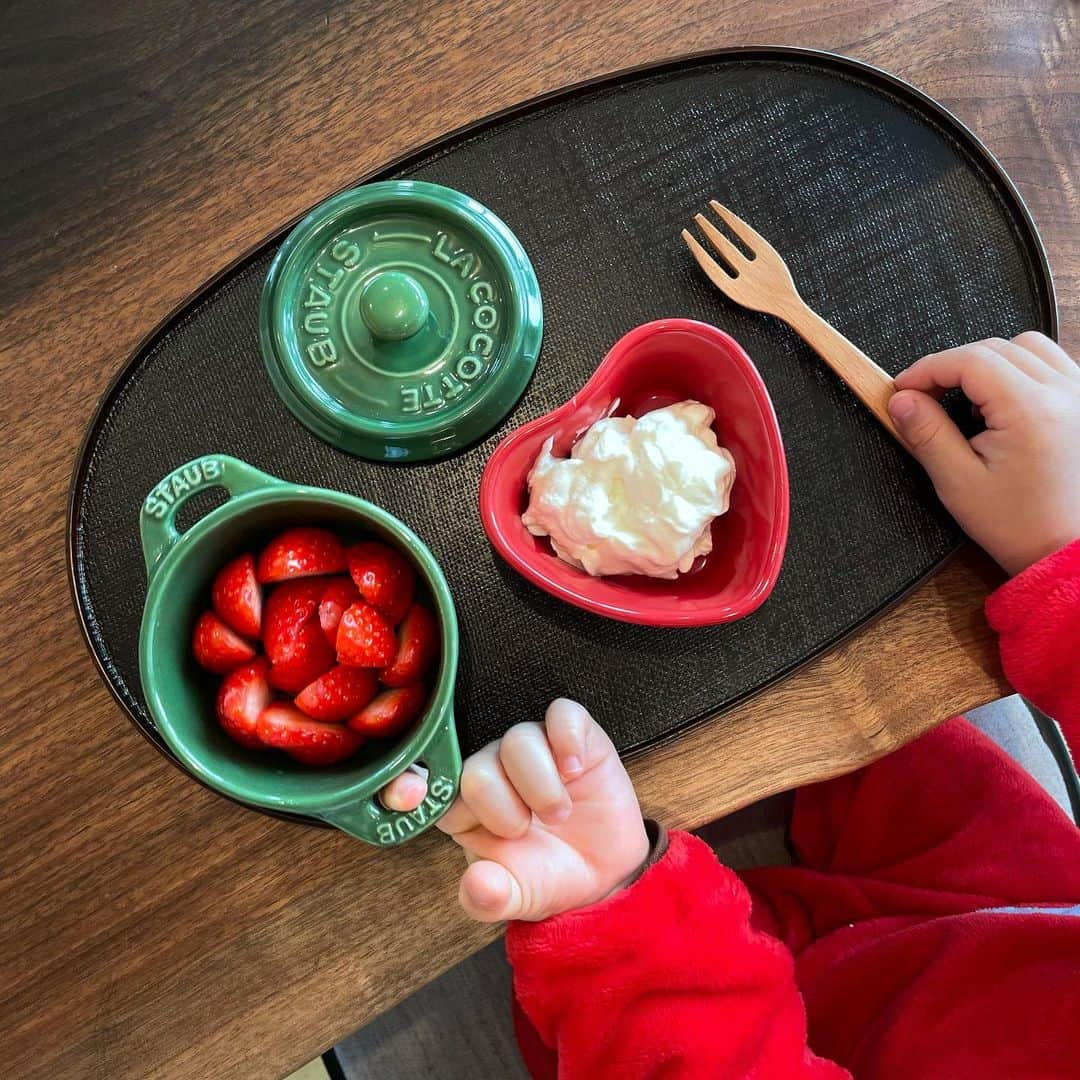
{"points": [[1016, 488]]}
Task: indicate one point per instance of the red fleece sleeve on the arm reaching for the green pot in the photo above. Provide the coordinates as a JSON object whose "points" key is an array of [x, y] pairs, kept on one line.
{"points": [[666, 979]]}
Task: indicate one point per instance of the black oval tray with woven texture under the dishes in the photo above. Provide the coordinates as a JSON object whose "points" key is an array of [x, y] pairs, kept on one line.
{"points": [[899, 227]]}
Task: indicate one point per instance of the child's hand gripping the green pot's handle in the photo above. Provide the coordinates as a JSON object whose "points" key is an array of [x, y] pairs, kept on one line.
{"points": [[548, 819]]}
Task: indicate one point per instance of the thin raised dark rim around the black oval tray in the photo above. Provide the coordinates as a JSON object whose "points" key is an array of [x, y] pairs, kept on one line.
{"points": [[825, 59]]}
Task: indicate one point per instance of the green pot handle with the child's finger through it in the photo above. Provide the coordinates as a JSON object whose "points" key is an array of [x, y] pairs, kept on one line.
{"points": [[371, 821]]}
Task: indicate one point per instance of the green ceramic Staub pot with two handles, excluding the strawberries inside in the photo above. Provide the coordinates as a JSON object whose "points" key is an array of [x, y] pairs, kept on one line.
{"points": [[181, 696]]}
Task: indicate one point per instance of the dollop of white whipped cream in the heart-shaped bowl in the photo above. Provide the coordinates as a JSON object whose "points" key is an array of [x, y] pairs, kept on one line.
{"points": [[637, 496]]}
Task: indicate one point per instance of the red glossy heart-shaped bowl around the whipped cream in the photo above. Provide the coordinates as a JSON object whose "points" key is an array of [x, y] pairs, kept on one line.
{"points": [[655, 366]]}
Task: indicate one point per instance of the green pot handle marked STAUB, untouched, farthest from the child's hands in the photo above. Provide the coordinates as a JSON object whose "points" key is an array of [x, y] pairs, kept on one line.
{"points": [[158, 519]]}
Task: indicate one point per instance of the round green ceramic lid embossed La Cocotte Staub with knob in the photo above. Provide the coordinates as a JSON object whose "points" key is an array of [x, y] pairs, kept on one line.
{"points": [[401, 321]]}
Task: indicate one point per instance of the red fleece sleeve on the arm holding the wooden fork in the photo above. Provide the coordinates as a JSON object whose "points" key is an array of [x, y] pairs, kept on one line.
{"points": [[1038, 618]]}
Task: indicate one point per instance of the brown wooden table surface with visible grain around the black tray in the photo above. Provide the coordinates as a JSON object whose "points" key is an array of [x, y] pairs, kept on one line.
{"points": [[148, 928]]}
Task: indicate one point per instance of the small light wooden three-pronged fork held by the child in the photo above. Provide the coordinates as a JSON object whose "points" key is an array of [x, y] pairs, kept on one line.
{"points": [[764, 283]]}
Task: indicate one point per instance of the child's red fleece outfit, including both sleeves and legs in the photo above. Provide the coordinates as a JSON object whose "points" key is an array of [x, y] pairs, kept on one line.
{"points": [[885, 953]]}
